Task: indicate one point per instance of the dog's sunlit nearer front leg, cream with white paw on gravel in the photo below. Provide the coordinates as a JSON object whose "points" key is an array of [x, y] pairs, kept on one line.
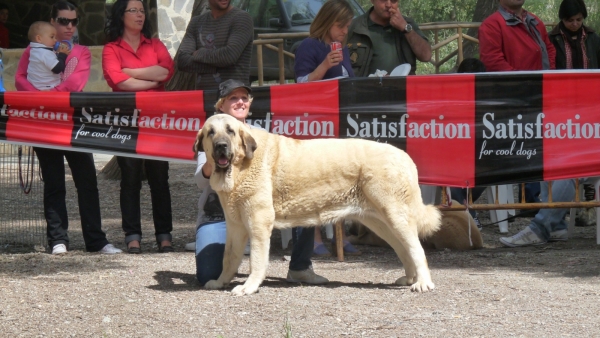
{"points": [[261, 227]]}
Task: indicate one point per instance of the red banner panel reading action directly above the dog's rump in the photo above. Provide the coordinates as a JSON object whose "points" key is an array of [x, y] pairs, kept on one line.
{"points": [[441, 128]]}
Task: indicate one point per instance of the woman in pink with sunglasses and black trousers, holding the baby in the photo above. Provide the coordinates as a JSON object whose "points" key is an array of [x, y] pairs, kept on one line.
{"points": [[64, 19]]}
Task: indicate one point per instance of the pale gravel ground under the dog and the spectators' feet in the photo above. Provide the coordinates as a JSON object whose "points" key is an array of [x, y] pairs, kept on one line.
{"points": [[549, 290]]}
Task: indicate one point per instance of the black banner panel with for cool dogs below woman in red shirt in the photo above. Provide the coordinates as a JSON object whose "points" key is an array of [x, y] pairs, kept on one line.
{"points": [[105, 121]]}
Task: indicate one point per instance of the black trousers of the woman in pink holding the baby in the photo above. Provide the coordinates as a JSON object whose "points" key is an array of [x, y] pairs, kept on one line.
{"points": [[55, 207]]}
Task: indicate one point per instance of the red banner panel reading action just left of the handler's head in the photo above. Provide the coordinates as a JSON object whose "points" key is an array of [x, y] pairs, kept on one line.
{"points": [[168, 127]]}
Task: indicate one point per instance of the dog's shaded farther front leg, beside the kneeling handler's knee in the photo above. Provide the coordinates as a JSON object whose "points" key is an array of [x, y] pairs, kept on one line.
{"points": [[232, 258]]}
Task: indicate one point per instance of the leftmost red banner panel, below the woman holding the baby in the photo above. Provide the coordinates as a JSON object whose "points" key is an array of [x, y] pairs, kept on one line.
{"points": [[40, 117]]}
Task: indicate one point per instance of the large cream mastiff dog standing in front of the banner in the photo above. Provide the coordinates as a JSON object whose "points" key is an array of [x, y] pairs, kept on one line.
{"points": [[267, 181]]}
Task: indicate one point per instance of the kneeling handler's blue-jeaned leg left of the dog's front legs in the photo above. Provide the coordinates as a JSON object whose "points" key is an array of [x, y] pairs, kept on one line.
{"points": [[210, 249]]}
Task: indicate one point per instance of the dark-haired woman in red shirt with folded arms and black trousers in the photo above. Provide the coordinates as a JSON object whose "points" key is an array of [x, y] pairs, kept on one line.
{"points": [[133, 61]]}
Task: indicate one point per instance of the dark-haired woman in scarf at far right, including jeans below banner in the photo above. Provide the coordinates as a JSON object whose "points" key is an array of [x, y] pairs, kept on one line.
{"points": [[577, 47]]}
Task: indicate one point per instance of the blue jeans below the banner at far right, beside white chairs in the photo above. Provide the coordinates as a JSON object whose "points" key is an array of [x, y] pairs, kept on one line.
{"points": [[549, 220]]}
